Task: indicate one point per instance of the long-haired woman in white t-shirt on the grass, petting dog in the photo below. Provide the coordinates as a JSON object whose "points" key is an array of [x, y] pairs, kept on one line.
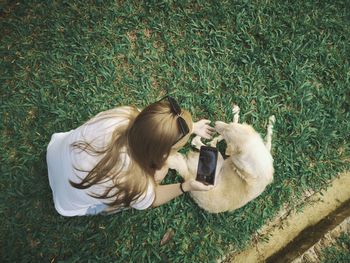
{"points": [[118, 158]]}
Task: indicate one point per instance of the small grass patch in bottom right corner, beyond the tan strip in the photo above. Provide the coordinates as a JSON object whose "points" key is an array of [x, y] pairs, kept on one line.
{"points": [[339, 252]]}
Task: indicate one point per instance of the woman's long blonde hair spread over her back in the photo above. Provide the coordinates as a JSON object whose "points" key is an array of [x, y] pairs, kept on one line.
{"points": [[147, 138]]}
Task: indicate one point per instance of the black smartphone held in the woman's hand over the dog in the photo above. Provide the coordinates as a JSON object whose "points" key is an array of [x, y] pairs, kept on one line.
{"points": [[208, 158]]}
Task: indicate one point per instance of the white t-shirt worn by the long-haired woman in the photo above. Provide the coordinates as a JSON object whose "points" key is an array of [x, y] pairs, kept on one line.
{"points": [[62, 160]]}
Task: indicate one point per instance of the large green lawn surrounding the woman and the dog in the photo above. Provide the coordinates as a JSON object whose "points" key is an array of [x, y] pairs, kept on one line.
{"points": [[64, 61]]}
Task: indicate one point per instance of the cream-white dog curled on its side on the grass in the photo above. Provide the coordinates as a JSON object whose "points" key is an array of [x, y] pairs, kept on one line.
{"points": [[242, 176]]}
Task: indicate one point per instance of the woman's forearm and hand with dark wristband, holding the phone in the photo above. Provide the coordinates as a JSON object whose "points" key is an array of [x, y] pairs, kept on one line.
{"points": [[165, 193]]}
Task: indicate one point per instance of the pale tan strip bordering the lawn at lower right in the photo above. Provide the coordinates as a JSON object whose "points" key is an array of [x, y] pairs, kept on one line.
{"points": [[281, 232]]}
